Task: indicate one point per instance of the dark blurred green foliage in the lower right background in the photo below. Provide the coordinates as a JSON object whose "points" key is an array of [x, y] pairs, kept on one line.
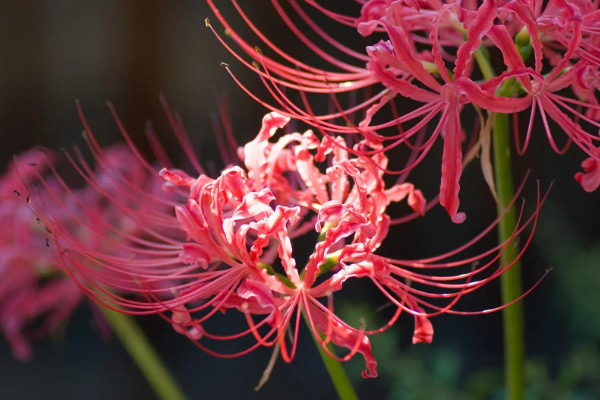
{"points": [[570, 295]]}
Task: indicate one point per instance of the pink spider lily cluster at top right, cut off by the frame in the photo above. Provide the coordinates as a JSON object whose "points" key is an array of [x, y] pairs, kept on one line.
{"points": [[429, 58]]}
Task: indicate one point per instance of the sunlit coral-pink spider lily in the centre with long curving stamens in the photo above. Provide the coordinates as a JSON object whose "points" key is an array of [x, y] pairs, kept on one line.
{"points": [[228, 246]]}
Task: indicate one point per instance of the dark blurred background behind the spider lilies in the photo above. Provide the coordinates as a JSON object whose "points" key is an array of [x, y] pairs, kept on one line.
{"points": [[131, 52]]}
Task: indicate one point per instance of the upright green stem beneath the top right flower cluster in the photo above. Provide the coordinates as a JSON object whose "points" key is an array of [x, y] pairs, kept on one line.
{"points": [[510, 281]]}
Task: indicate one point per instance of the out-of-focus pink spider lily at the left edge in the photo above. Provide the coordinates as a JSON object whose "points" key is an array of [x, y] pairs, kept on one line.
{"points": [[32, 285]]}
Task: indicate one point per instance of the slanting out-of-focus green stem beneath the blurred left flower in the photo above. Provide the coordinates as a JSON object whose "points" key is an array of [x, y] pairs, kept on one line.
{"points": [[143, 354]]}
